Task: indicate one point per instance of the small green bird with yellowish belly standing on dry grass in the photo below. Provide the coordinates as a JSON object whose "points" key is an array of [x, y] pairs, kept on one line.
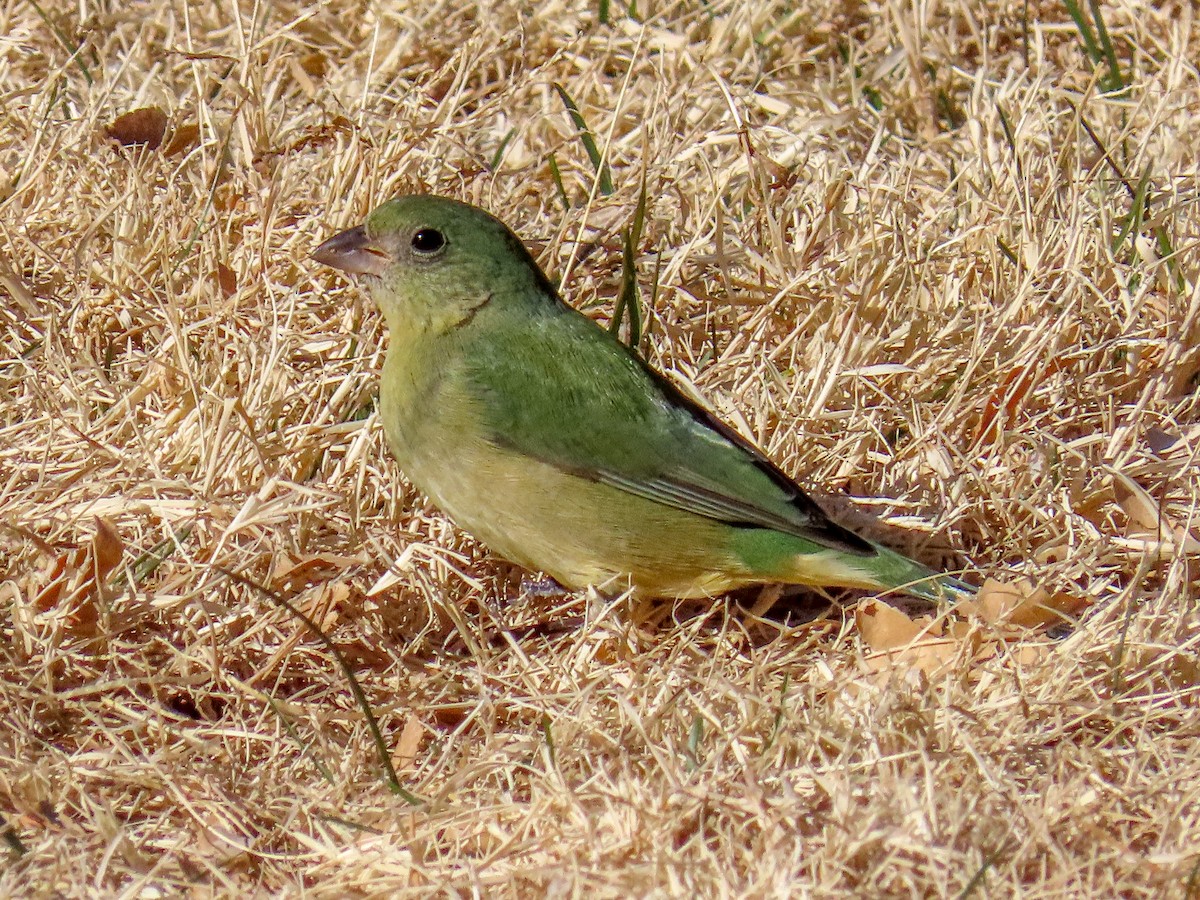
{"points": [[559, 447]]}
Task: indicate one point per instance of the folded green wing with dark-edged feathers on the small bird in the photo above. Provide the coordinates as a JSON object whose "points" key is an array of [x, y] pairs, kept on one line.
{"points": [[559, 389]]}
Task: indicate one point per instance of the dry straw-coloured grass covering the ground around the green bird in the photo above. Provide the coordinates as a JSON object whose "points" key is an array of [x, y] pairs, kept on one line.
{"points": [[889, 251]]}
